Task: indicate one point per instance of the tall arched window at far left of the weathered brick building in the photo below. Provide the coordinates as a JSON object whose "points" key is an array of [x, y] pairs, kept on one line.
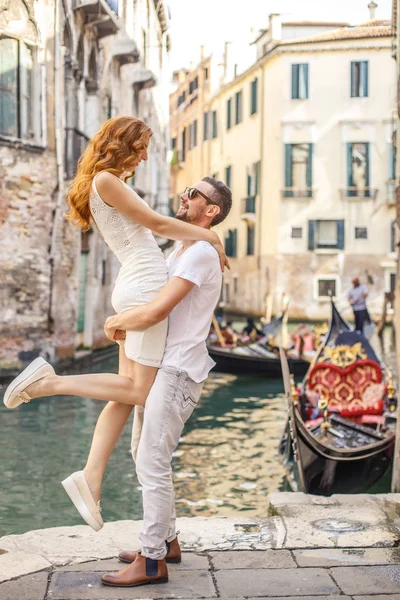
{"points": [[17, 104]]}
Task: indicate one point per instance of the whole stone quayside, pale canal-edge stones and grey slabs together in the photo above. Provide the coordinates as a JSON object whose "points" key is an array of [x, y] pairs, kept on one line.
{"points": [[343, 547]]}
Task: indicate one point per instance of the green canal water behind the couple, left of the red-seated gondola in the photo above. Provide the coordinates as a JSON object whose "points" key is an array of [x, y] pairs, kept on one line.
{"points": [[227, 461]]}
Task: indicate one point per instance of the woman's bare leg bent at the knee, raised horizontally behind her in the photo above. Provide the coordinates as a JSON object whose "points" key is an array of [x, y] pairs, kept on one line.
{"points": [[125, 389]]}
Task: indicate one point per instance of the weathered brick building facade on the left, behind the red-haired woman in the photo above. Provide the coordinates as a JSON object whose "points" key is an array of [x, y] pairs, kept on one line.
{"points": [[66, 67]]}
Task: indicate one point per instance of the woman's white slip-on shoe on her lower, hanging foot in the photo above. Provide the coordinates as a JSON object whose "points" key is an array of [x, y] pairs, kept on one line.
{"points": [[78, 490]]}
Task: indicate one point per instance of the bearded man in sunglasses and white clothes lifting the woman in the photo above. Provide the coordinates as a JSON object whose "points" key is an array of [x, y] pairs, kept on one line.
{"points": [[189, 299]]}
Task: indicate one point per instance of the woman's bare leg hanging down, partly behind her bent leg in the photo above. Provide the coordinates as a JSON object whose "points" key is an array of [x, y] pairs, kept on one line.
{"points": [[110, 424]]}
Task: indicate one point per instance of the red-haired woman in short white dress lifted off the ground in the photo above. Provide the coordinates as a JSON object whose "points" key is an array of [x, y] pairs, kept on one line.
{"points": [[125, 221]]}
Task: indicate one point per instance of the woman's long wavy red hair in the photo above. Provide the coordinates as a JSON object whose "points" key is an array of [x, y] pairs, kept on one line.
{"points": [[111, 149]]}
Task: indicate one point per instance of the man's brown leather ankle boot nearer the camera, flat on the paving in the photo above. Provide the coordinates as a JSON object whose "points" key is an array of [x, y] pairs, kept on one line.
{"points": [[141, 572]]}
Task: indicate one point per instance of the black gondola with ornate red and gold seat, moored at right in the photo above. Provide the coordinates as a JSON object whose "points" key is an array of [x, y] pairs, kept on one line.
{"points": [[341, 428]]}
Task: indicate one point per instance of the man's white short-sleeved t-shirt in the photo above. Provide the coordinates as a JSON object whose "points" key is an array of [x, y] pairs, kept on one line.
{"points": [[189, 322]]}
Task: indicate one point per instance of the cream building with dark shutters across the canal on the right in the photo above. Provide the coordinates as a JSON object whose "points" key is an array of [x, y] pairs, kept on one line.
{"points": [[305, 140]]}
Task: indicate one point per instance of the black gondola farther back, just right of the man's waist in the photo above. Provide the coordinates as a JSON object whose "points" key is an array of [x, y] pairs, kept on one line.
{"points": [[258, 359]]}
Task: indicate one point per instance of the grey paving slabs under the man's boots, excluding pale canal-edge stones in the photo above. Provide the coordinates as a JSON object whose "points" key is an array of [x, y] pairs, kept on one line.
{"points": [[321, 573]]}
